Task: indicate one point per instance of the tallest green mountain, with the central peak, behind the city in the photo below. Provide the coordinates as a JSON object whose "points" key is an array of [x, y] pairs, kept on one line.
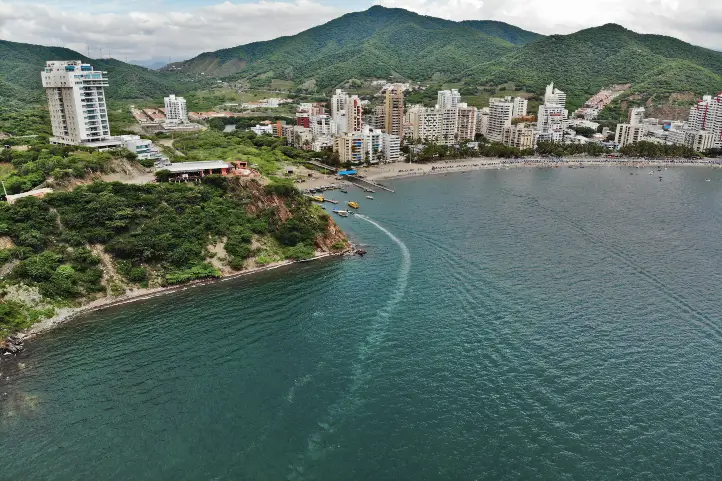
{"points": [[377, 43]]}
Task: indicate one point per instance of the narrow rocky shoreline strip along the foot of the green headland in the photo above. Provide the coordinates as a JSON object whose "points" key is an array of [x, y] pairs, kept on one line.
{"points": [[65, 315]]}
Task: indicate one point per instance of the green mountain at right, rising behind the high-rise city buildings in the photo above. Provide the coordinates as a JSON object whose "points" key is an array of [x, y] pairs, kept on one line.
{"points": [[583, 62]]}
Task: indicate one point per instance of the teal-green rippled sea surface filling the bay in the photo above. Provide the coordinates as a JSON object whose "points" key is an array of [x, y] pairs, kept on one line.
{"points": [[559, 324]]}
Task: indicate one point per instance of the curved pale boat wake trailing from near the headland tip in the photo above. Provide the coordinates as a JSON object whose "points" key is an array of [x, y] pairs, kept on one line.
{"points": [[361, 370]]}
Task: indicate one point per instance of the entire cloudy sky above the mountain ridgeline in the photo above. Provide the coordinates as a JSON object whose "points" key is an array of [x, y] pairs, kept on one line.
{"points": [[180, 29]]}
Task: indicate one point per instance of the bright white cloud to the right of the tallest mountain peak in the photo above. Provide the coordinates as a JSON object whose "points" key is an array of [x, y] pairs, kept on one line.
{"points": [[694, 21]]}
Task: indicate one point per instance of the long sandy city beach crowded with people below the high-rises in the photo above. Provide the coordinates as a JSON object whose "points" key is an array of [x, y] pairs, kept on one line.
{"points": [[403, 170]]}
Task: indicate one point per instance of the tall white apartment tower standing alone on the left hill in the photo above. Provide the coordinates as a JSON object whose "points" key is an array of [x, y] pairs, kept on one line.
{"points": [[76, 101]]}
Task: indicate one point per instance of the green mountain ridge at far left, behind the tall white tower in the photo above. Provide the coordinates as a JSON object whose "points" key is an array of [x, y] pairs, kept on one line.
{"points": [[21, 64]]}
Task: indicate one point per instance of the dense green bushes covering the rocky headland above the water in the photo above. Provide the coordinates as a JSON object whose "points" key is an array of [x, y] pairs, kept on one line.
{"points": [[154, 235]]}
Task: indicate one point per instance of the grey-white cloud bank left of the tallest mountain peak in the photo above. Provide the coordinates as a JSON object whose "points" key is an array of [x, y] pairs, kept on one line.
{"points": [[158, 34]]}
